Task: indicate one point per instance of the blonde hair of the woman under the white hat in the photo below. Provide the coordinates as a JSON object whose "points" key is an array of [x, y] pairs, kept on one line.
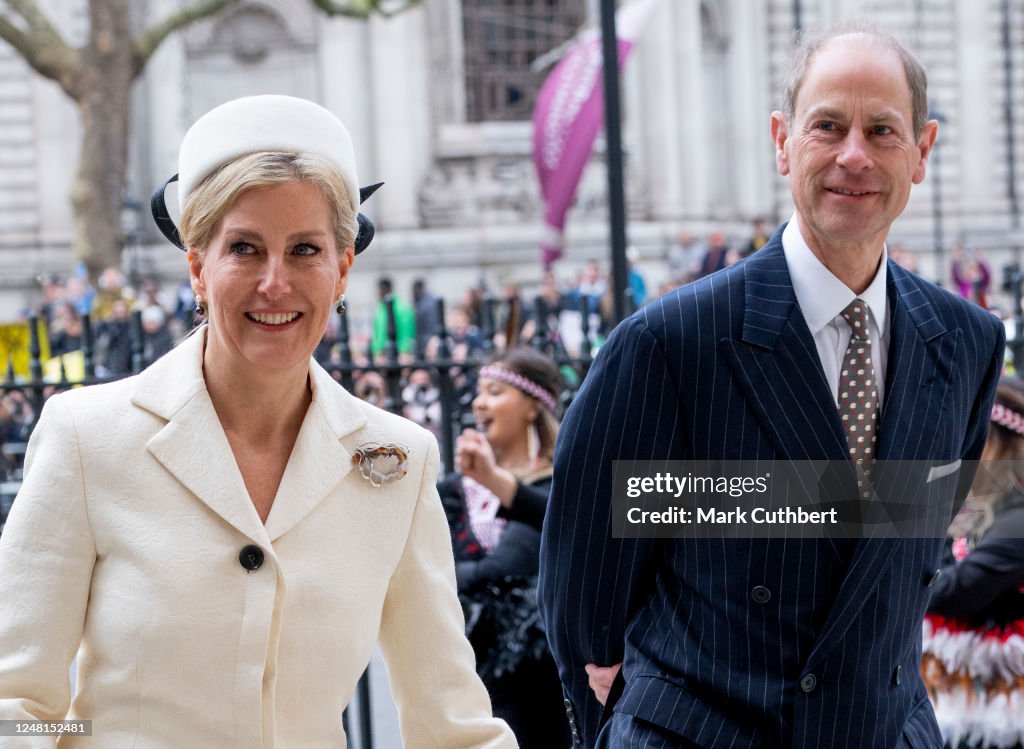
{"points": [[216, 195]]}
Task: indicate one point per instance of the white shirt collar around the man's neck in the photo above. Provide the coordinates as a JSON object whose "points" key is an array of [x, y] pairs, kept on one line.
{"points": [[823, 297]]}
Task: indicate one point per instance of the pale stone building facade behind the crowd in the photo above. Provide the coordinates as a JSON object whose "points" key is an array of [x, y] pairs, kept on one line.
{"points": [[435, 116]]}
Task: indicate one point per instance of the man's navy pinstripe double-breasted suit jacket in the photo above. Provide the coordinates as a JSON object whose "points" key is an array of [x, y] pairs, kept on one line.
{"points": [[727, 368]]}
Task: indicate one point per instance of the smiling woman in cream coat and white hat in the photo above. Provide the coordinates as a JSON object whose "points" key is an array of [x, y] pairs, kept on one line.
{"points": [[225, 538]]}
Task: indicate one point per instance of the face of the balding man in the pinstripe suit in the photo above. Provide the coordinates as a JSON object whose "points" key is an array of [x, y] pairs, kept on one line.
{"points": [[850, 152]]}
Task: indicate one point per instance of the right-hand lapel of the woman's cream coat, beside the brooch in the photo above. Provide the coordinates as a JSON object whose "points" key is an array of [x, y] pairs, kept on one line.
{"points": [[319, 461]]}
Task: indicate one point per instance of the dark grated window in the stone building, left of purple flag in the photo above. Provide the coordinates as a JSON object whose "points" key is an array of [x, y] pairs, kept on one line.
{"points": [[502, 39]]}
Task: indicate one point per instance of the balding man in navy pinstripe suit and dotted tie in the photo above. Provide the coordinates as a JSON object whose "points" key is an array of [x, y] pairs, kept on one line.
{"points": [[772, 643]]}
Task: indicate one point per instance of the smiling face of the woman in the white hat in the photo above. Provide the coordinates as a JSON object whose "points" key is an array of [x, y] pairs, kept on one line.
{"points": [[271, 276]]}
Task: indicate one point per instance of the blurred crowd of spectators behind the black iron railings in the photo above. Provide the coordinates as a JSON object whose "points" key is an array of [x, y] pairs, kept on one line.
{"points": [[571, 316]]}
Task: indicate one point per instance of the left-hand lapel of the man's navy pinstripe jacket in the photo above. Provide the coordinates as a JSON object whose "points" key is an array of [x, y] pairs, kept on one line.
{"points": [[777, 364]]}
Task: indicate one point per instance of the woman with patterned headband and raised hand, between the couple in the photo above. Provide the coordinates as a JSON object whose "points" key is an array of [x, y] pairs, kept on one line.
{"points": [[496, 506]]}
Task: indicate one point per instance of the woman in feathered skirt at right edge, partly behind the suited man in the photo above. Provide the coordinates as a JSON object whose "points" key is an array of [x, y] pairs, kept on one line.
{"points": [[974, 633]]}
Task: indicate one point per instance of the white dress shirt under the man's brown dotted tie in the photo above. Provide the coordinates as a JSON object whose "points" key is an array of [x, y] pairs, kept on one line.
{"points": [[823, 298]]}
